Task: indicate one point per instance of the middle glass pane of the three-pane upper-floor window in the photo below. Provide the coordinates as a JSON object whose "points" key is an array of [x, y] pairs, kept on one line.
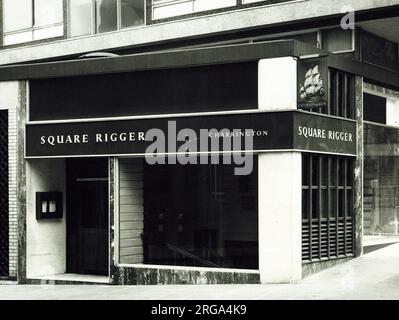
{"points": [[106, 15]]}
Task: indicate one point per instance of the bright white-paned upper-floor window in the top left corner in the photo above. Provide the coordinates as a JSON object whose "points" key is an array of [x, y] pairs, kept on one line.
{"points": [[29, 20]]}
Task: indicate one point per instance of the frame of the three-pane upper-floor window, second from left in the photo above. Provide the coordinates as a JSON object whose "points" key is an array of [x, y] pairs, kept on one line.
{"points": [[93, 26]]}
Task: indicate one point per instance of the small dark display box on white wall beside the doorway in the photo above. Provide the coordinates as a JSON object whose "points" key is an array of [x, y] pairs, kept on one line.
{"points": [[48, 205]]}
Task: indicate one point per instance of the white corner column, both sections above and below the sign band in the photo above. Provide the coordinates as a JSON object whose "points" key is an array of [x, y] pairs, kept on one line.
{"points": [[280, 181]]}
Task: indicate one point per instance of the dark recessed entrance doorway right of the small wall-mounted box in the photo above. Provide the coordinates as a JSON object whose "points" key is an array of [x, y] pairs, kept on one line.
{"points": [[87, 216]]}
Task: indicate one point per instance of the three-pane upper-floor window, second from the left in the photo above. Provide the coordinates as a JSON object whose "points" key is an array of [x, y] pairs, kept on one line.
{"points": [[96, 16]]}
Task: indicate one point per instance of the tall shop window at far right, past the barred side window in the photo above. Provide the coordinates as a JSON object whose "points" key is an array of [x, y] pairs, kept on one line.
{"points": [[381, 163]]}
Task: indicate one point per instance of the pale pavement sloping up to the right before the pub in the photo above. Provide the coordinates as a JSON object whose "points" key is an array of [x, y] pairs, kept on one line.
{"points": [[372, 276]]}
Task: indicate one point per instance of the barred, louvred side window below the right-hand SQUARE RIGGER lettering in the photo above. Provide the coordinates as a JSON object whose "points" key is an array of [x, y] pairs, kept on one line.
{"points": [[327, 207]]}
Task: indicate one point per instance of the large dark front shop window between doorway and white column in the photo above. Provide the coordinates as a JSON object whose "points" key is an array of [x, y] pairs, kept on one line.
{"points": [[193, 215]]}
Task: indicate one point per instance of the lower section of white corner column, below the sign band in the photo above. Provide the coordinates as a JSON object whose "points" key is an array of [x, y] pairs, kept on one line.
{"points": [[280, 217]]}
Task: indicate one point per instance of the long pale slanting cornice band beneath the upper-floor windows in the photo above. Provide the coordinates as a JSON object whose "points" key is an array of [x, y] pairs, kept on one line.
{"points": [[191, 28]]}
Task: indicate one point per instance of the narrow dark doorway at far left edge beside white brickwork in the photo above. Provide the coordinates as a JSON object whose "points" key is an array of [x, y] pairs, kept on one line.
{"points": [[4, 242]]}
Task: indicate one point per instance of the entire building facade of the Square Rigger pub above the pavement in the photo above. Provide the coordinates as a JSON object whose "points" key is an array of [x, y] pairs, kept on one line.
{"points": [[165, 142]]}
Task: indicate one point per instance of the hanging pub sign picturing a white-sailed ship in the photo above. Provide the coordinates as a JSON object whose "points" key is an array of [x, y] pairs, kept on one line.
{"points": [[312, 84]]}
